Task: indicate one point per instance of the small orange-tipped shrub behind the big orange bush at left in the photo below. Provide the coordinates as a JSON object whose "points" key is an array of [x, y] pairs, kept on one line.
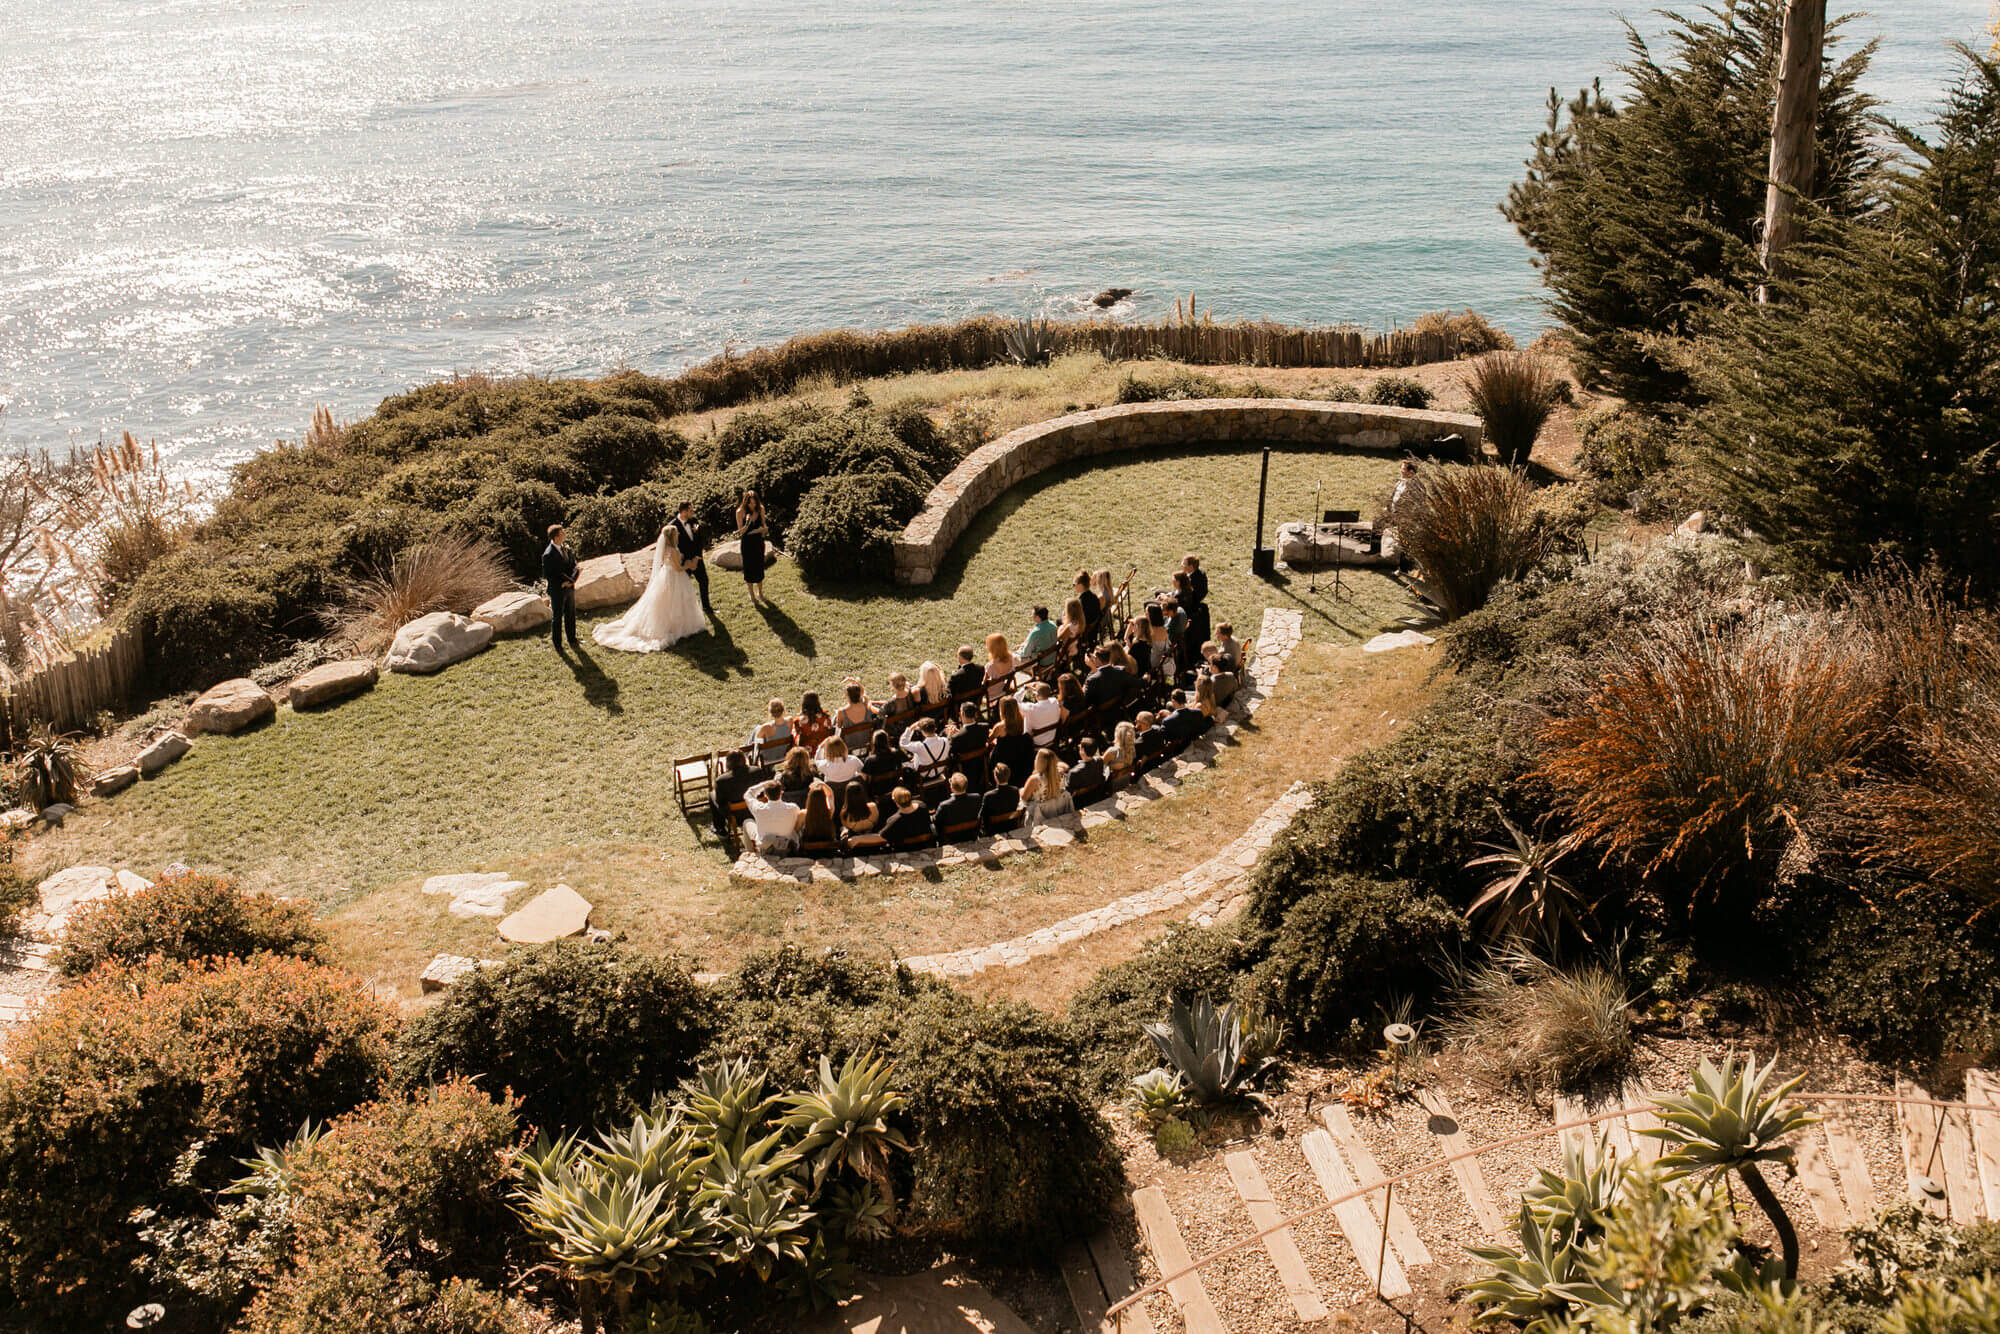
{"points": [[189, 917]]}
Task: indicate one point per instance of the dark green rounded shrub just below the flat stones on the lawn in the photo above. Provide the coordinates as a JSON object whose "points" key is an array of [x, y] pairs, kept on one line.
{"points": [[579, 1033]]}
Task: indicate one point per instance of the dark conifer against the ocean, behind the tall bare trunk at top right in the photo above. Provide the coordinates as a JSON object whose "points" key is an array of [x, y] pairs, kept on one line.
{"points": [[1637, 207]]}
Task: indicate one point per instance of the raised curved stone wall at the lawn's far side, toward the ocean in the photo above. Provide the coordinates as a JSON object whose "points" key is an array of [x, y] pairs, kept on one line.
{"points": [[1029, 451]]}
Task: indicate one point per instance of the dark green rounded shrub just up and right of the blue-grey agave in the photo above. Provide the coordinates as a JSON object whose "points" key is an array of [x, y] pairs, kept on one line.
{"points": [[1349, 951]]}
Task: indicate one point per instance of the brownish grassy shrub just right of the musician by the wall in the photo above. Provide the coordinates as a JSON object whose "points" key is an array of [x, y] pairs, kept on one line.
{"points": [[1469, 529]]}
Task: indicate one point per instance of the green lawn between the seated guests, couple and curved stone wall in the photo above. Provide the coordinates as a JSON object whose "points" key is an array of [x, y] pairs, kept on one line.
{"points": [[519, 761]]}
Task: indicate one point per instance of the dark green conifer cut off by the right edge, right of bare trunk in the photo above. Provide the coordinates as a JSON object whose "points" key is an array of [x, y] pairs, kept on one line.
{"points": [[1861, 415]]}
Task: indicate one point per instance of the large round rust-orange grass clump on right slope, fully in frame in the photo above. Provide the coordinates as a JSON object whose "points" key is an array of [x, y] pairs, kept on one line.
{"points": [[1701, 747]]}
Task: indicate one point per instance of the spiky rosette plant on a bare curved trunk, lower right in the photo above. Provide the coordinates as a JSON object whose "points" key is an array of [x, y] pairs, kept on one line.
{"points": [[1731, 1121]]}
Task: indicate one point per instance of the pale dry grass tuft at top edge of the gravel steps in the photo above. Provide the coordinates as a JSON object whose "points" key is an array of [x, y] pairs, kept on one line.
{"points": [[1533, 1027]]}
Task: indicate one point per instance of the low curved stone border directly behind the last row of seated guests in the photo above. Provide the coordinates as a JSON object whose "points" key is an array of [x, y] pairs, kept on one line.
{"points": [[1275, 643]]}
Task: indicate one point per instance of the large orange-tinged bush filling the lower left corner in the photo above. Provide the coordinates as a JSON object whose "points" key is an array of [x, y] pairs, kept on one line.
{"points": [[117, 1077]]}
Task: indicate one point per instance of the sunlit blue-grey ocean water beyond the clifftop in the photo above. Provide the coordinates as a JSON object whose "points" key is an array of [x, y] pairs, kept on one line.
{"points": [[219, 213]]}
